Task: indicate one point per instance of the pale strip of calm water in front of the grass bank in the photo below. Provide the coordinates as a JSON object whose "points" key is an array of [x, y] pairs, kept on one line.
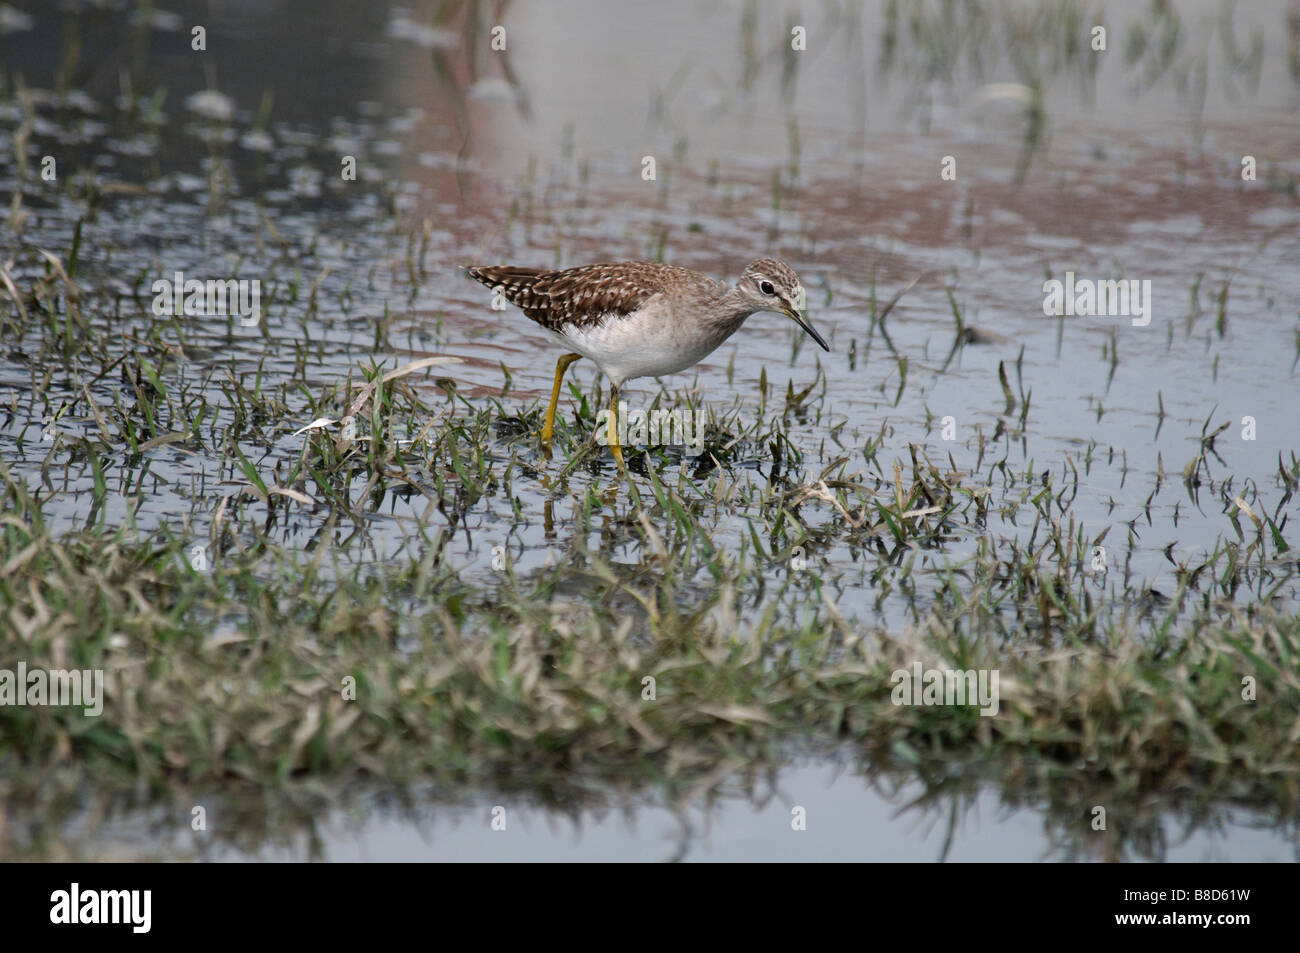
{"points": [[804, 812]]}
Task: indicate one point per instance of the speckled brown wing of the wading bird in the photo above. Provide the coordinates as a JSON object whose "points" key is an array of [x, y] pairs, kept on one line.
{"points": [[586, 296]]}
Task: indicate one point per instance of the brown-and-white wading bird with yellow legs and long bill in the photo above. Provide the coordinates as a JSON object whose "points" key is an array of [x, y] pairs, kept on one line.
{"points": [[643, 319]]}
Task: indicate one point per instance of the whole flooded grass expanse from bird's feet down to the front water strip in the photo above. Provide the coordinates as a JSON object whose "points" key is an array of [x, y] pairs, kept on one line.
{"points": [[265, 640]]}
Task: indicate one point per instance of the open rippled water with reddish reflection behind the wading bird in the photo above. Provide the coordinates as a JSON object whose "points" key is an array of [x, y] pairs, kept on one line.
{"points": [[1117, 164]]}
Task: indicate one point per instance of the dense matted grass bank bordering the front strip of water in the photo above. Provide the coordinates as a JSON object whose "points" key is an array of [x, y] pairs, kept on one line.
{"points": [[272, 668]]}
